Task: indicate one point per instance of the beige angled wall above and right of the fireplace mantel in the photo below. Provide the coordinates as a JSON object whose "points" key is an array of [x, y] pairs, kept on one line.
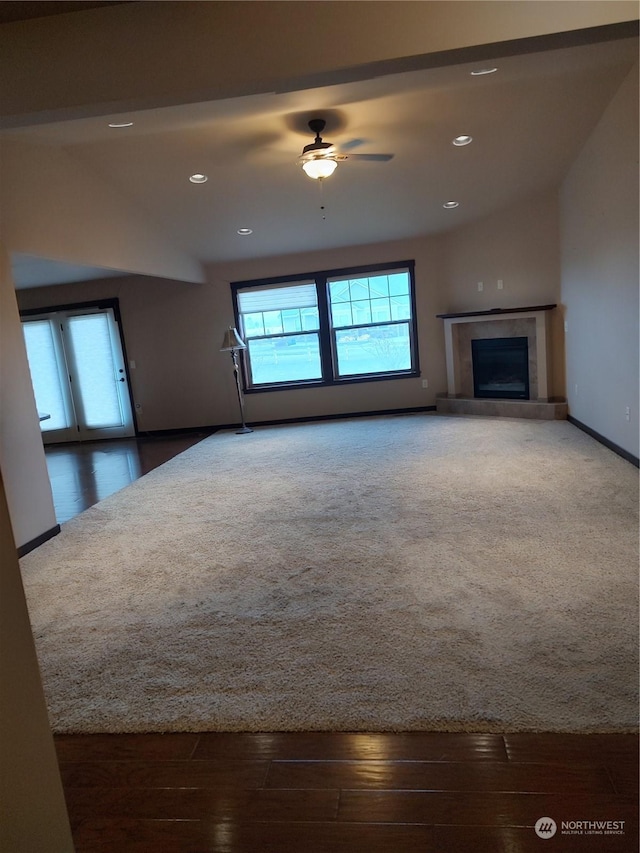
{"points": [[519, 247]]}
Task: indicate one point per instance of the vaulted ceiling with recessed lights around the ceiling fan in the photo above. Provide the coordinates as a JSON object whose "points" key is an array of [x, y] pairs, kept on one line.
{"points": [[528, 122]]}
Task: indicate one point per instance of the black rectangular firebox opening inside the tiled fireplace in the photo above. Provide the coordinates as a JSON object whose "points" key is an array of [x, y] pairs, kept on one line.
{"points": [[500, 368]]}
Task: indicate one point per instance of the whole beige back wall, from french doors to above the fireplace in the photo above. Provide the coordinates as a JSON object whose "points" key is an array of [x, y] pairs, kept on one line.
{"points": [[173, 332]]}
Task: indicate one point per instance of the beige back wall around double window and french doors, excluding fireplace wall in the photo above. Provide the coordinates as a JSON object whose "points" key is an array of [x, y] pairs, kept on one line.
{"points": [[173, 334]]}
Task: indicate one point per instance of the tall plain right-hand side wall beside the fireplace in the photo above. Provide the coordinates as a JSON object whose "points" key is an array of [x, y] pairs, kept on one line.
{"points": [[599, 268]]}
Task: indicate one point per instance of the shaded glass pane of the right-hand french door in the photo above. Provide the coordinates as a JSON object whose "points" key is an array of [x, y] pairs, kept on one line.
{"points": [[95, 370]]}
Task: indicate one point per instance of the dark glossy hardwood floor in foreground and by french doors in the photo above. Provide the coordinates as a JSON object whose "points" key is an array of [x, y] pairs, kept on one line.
{"points": [[329, 792]]}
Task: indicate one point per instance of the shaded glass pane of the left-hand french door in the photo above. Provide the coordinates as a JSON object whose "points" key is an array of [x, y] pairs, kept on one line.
{"points": [[45, 376]]}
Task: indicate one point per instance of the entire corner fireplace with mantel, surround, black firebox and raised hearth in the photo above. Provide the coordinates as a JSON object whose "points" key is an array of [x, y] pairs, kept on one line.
{"points": [[499, 363]]}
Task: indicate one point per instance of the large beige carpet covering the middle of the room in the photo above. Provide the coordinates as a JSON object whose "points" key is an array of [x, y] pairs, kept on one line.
{"points": [[402, 573]]}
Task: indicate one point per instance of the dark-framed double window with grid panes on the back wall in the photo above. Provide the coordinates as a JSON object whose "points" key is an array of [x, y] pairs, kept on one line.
{"points": [[329, 327]]}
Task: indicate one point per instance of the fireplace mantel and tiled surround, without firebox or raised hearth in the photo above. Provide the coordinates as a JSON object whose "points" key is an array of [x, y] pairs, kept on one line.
{"points": [[461, 327]]}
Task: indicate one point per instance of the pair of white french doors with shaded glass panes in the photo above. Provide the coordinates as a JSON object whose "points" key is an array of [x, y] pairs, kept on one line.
{"points": [[78, 374]]}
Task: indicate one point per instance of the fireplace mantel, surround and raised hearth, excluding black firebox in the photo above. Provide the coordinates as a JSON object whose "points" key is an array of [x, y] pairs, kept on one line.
{"points": [[460, 329]]}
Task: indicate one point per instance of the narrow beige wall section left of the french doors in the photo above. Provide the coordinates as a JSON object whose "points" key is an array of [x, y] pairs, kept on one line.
{"points": [[22, 459]]}
